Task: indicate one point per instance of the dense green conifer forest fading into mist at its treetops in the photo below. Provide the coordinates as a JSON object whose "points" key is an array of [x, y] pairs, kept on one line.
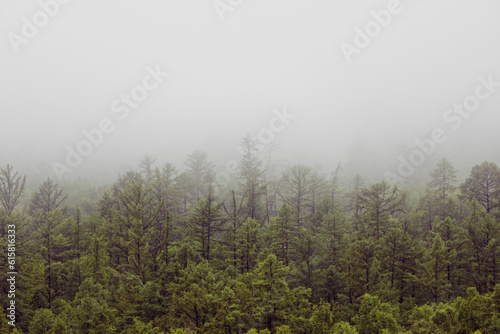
{"points": [[165, 251]]}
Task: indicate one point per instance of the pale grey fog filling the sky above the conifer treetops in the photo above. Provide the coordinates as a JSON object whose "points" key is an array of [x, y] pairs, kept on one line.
{"points": [[284, 70]]}
